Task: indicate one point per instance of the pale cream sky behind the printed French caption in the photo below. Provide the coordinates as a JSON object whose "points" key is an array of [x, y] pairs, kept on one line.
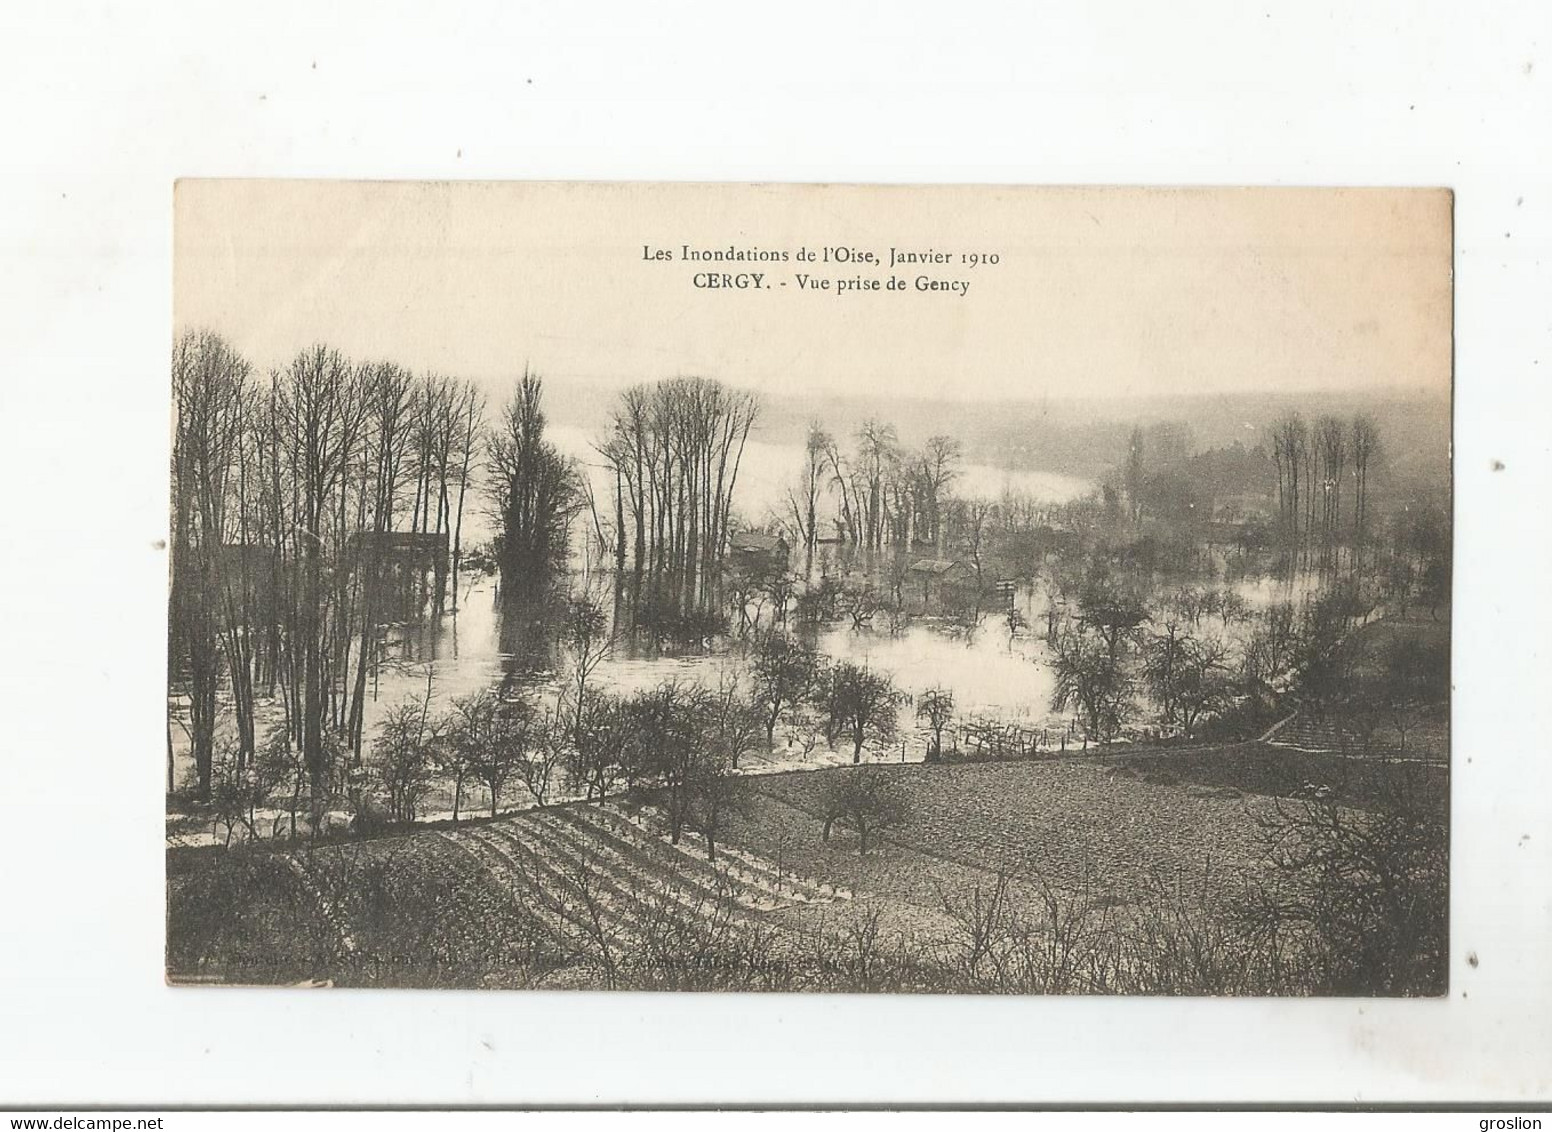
{"points": [[1098, 293]]}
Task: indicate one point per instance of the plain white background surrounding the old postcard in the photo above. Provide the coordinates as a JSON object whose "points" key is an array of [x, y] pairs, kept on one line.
{"points": [[108, 103]]}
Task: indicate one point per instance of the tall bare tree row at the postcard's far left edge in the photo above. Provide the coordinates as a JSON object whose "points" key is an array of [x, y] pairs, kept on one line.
{"points": [[283, 495]]}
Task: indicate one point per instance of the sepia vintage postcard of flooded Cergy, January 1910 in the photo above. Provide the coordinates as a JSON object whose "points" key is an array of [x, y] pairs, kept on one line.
{"points": [[803, 588]]}
